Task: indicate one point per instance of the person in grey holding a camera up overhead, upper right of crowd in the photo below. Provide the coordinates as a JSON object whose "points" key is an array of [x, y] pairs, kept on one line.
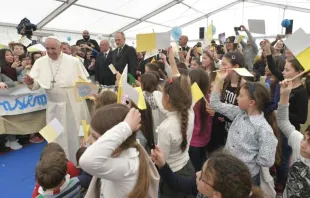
{"points": [[249, 48]]}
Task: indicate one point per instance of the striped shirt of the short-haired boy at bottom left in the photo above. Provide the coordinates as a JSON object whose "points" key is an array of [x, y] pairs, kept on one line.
{"points": [[72, 190]]}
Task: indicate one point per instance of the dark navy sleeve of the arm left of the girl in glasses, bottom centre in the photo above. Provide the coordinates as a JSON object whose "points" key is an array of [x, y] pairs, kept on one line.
{"points": [[177, 183]]}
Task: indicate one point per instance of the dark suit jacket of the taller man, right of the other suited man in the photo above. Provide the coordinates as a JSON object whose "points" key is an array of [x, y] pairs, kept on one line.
{"points": [[128, 56]]}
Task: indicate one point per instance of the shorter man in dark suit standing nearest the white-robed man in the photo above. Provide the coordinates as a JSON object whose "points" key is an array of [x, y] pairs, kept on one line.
{"points": [[103, 74]]}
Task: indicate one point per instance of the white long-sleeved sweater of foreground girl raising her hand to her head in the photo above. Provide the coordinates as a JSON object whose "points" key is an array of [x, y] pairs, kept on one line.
{"points": [[118, 175]]}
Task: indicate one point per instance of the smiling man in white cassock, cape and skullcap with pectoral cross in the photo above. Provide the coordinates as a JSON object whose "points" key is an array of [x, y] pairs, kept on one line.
{"points": [[57, 73]]}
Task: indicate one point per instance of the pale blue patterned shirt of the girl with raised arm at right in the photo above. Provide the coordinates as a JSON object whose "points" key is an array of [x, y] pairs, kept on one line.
{"points": [[250, 138]]}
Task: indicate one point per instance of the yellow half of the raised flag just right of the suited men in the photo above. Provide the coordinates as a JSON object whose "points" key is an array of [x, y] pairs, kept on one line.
{"points": [[146, 42]]}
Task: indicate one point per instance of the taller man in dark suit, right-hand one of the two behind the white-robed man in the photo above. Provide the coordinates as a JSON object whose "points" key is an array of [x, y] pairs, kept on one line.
{"points": [[124, 55]]}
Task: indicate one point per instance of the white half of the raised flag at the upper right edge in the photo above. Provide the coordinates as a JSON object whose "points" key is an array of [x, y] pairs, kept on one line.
{"points": [[298, 42]]}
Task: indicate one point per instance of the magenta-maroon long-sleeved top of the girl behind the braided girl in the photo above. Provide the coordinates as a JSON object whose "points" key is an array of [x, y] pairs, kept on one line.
{"points": [[201, 139]]}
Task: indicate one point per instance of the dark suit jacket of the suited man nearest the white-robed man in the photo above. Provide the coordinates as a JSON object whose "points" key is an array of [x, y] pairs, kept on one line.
{"points": [[103, 73]]}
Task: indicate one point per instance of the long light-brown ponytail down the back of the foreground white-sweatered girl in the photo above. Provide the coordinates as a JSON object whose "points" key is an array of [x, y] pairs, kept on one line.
{"points": [[144, 179]]}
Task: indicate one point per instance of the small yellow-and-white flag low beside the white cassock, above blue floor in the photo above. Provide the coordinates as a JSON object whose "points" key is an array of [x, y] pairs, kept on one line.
{"points": [[51, 131]]}
